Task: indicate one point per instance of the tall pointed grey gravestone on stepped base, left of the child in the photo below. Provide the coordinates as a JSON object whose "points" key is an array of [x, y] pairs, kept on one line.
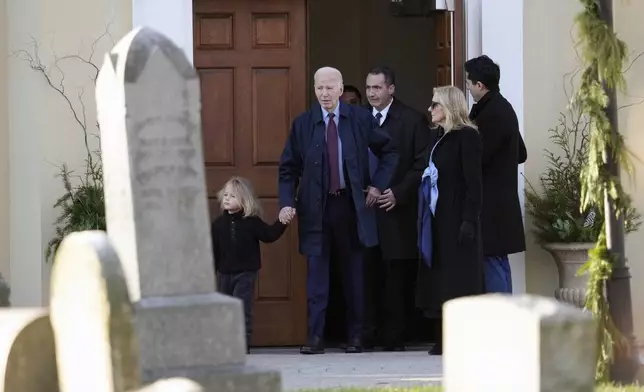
{"points": [[148, 99]]}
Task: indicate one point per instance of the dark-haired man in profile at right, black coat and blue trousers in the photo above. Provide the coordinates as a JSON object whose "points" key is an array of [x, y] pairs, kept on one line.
{"points": [[503, 151]]}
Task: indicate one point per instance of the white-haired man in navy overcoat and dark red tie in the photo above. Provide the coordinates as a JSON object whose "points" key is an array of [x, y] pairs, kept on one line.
{"points": [[326, 155]]}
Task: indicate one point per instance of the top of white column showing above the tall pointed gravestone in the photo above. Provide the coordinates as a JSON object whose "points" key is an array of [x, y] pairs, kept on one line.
{"points": [[173, 18]]}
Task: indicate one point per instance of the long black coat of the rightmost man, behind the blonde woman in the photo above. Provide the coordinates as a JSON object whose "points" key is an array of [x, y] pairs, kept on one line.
{"points": [[503, 151]]}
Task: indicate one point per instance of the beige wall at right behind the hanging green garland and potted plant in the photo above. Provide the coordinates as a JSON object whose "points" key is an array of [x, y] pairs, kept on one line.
{"points": [[548, 55]]}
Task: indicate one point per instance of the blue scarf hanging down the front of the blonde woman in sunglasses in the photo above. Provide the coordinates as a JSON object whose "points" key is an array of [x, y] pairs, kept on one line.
{"points": [[427, 199]]}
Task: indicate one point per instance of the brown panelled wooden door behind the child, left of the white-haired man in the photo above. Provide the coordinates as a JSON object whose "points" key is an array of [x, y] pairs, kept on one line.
{"points": [[251, 57]]}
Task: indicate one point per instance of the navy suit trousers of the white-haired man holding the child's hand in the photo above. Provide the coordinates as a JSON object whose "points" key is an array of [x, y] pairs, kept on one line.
{"points": [[340, 241]]}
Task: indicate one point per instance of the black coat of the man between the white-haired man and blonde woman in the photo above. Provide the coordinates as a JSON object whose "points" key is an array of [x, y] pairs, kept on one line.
{"points": [[409, 130]]}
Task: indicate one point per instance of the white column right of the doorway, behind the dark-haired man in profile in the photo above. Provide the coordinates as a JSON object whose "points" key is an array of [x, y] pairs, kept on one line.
{"points": [[495, 28]]}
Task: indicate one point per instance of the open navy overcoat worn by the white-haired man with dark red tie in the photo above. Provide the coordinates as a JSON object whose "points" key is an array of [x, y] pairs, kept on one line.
{"points": [[304, 164]]}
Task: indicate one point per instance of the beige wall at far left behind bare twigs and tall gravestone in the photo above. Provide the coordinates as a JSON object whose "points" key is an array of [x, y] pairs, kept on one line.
{"points": [[41, 128]]}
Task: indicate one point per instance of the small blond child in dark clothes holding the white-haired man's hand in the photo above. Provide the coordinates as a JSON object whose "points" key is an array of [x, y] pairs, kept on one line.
{"points": [[236, 234]]}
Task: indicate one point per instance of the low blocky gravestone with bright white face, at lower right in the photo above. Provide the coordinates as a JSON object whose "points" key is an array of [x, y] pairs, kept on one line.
{"points": [[504, 343]]}
